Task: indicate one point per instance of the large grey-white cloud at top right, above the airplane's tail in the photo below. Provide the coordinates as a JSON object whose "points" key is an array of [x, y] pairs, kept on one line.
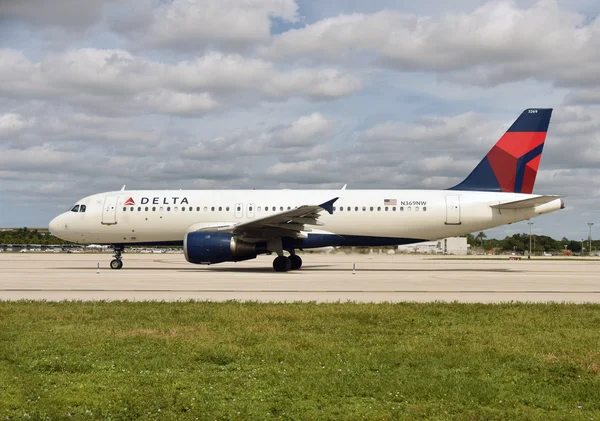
{"points": [[496, 43]]}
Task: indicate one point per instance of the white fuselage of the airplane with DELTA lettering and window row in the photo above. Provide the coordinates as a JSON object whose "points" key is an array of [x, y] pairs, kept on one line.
{"points": [[158, 216]]}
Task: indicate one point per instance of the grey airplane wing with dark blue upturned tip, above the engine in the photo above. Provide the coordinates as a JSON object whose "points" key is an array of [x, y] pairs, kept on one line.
{"points": [[289, 223]]}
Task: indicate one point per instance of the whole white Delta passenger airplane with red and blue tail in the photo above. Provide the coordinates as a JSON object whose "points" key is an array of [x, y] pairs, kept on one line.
{"points": [[217, 226]]}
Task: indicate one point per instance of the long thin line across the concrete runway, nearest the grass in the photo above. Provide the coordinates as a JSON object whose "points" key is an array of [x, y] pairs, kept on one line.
{"points": [[307, 291]]}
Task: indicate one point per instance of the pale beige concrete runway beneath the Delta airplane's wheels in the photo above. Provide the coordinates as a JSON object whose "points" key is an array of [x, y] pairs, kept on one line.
{"points": [[323, 278]]}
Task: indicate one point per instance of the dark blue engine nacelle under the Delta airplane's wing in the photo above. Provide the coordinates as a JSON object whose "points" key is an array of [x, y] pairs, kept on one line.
{"points": [[216, 247]]}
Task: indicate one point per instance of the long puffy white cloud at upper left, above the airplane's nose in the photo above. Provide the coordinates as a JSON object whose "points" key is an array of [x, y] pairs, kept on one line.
{"points": [[106, 80]]}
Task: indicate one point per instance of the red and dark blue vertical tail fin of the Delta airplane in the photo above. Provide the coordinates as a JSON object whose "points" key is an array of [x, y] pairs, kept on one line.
{"points": [[512, 164]]}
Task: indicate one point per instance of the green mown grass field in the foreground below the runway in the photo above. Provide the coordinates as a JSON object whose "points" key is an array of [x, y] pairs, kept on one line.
{"points": [[299, 361]]}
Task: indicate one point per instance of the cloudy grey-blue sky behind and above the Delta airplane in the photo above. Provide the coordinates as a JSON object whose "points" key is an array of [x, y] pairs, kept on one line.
{"points": [[216, 94]]}
